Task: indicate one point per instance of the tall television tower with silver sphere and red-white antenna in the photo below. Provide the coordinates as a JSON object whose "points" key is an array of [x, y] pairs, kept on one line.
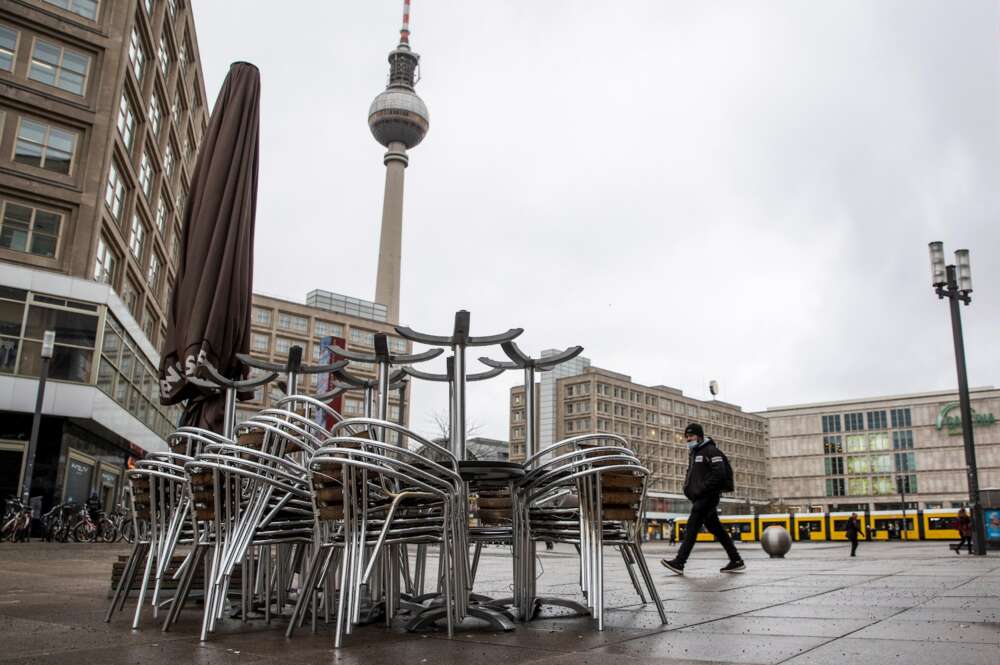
{"points": [[398, 120]]}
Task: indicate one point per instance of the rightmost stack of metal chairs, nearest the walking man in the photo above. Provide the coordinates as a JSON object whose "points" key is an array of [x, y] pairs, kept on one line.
{"points": [[609, 485]]}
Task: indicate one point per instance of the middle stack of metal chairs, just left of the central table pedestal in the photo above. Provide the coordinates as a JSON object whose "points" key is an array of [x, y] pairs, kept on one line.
{"points": [[369, 499]]}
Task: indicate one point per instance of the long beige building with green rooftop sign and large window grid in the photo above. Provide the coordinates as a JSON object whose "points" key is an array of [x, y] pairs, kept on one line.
{"points": [[858, 454]]}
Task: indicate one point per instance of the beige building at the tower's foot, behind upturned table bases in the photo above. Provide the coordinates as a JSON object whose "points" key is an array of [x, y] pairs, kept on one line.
{"points": [[280, 324]]}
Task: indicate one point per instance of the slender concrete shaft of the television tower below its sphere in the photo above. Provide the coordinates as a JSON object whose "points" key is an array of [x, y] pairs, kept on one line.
{"points": [[391, 238]]}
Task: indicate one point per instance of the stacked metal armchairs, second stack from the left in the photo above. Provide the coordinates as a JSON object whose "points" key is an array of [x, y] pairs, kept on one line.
{"points": [[251, 505]]}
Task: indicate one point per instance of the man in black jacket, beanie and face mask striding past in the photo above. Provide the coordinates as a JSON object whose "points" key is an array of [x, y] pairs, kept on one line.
{"points": [[706, 479]]}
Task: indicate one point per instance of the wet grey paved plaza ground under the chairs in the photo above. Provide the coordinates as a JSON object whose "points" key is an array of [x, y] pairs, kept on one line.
{"points": [[906, 603]]}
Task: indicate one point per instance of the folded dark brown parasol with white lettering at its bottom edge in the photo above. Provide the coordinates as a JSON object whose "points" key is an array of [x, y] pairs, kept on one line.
{"points": [[210, 310]]}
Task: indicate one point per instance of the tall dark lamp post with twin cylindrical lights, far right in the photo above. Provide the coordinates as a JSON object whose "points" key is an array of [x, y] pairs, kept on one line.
{"points": [[954, 282]]}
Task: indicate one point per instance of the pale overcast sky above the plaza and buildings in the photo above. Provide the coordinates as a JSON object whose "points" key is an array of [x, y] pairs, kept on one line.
{"points": [[739, 191]]}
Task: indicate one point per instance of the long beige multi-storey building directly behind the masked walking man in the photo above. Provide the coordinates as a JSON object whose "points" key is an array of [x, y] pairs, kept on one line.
{"points": [[652, 418]]}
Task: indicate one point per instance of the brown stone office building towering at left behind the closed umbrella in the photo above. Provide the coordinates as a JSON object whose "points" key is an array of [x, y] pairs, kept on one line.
{"points": [[102, 108]]}
